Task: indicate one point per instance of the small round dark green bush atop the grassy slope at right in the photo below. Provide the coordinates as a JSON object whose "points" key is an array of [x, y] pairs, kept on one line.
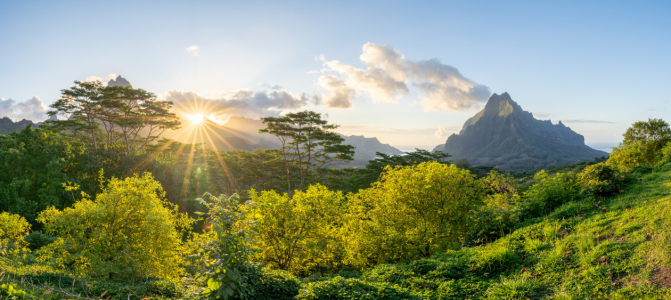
{"points": [[600, 180]]}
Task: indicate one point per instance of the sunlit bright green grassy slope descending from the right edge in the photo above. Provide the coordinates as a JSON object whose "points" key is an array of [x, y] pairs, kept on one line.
{"points": [[577, 252]]}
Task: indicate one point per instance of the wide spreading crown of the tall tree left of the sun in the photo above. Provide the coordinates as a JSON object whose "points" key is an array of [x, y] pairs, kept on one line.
{"points": [[113, 116]]}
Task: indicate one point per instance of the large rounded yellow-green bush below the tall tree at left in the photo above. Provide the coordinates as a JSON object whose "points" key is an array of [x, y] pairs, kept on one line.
{"points": [[128, 231]]}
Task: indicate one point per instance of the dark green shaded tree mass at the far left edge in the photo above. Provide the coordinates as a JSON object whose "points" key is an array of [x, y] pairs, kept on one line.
{"points": [[33, 165]]}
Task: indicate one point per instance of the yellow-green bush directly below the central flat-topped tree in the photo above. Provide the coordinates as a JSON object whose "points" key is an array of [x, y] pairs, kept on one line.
{"points": [[300, 233]]}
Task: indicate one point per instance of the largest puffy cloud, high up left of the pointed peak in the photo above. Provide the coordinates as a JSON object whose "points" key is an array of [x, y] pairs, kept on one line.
{"points": [[388, 74]]}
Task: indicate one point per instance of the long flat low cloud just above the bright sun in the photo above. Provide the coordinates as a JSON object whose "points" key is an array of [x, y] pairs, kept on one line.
{"points": [[243, 103]]}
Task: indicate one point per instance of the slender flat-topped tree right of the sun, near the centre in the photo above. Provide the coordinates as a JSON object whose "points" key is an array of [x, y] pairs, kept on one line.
{"points": [[309, 143]]}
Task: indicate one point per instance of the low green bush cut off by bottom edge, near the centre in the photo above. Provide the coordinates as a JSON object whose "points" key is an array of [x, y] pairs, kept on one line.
{"points": [[341, 288]]}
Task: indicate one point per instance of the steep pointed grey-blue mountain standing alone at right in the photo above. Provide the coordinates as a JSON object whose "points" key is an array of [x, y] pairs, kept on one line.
{"points": [[505, 136]]}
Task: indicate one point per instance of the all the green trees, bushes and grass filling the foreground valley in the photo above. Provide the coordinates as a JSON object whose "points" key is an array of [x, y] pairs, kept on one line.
{"points": [[87, 212]]}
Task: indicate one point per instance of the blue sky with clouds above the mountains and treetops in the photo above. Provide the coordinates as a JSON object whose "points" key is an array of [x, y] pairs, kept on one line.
{"points": [[409, 73]]}
